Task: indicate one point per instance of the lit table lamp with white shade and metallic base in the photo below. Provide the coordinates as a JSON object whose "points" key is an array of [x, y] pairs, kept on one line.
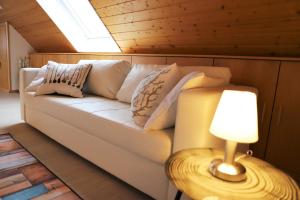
{"points": [[235, 120]]}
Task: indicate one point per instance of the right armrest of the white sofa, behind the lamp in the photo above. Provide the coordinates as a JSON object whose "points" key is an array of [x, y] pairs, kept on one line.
{"points": [[195, 111]]}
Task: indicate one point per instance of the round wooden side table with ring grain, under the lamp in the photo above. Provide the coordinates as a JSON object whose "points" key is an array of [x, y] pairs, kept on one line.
{"points": [[188, 170]]}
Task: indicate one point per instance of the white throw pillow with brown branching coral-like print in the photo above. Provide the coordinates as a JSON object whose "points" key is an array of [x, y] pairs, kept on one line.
{"points": [[151, 91]]}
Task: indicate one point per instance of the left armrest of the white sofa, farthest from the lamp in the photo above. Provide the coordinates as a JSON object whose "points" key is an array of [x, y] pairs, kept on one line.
{"points": [[26, 76]]}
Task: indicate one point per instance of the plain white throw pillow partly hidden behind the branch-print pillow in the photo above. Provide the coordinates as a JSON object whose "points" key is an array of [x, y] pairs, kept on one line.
{"points": [[135, 76]]}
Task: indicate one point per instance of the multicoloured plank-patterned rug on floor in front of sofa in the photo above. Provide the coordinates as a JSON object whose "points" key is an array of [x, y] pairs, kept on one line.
{"points": [[22, 176]]}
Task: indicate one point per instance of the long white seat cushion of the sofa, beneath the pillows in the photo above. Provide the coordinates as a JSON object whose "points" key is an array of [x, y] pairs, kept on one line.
{"points": [[107, 119]]}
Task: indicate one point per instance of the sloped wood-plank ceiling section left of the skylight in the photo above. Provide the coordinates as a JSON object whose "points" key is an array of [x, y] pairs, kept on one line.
{"points": [[35, 26]]}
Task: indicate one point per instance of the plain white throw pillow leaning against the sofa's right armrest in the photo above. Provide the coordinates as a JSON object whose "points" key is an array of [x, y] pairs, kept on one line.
{"points": [[165, 114]]}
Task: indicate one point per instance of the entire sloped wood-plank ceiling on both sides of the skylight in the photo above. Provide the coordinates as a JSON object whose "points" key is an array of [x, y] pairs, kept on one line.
{"points": [[227, 27]]}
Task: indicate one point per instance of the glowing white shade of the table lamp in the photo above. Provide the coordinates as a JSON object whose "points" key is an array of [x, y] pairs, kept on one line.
{"points": [[236, 117]]}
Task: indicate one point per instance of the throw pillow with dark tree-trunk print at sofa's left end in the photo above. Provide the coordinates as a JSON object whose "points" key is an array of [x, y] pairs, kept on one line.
{"points": [[67, 79]]}
